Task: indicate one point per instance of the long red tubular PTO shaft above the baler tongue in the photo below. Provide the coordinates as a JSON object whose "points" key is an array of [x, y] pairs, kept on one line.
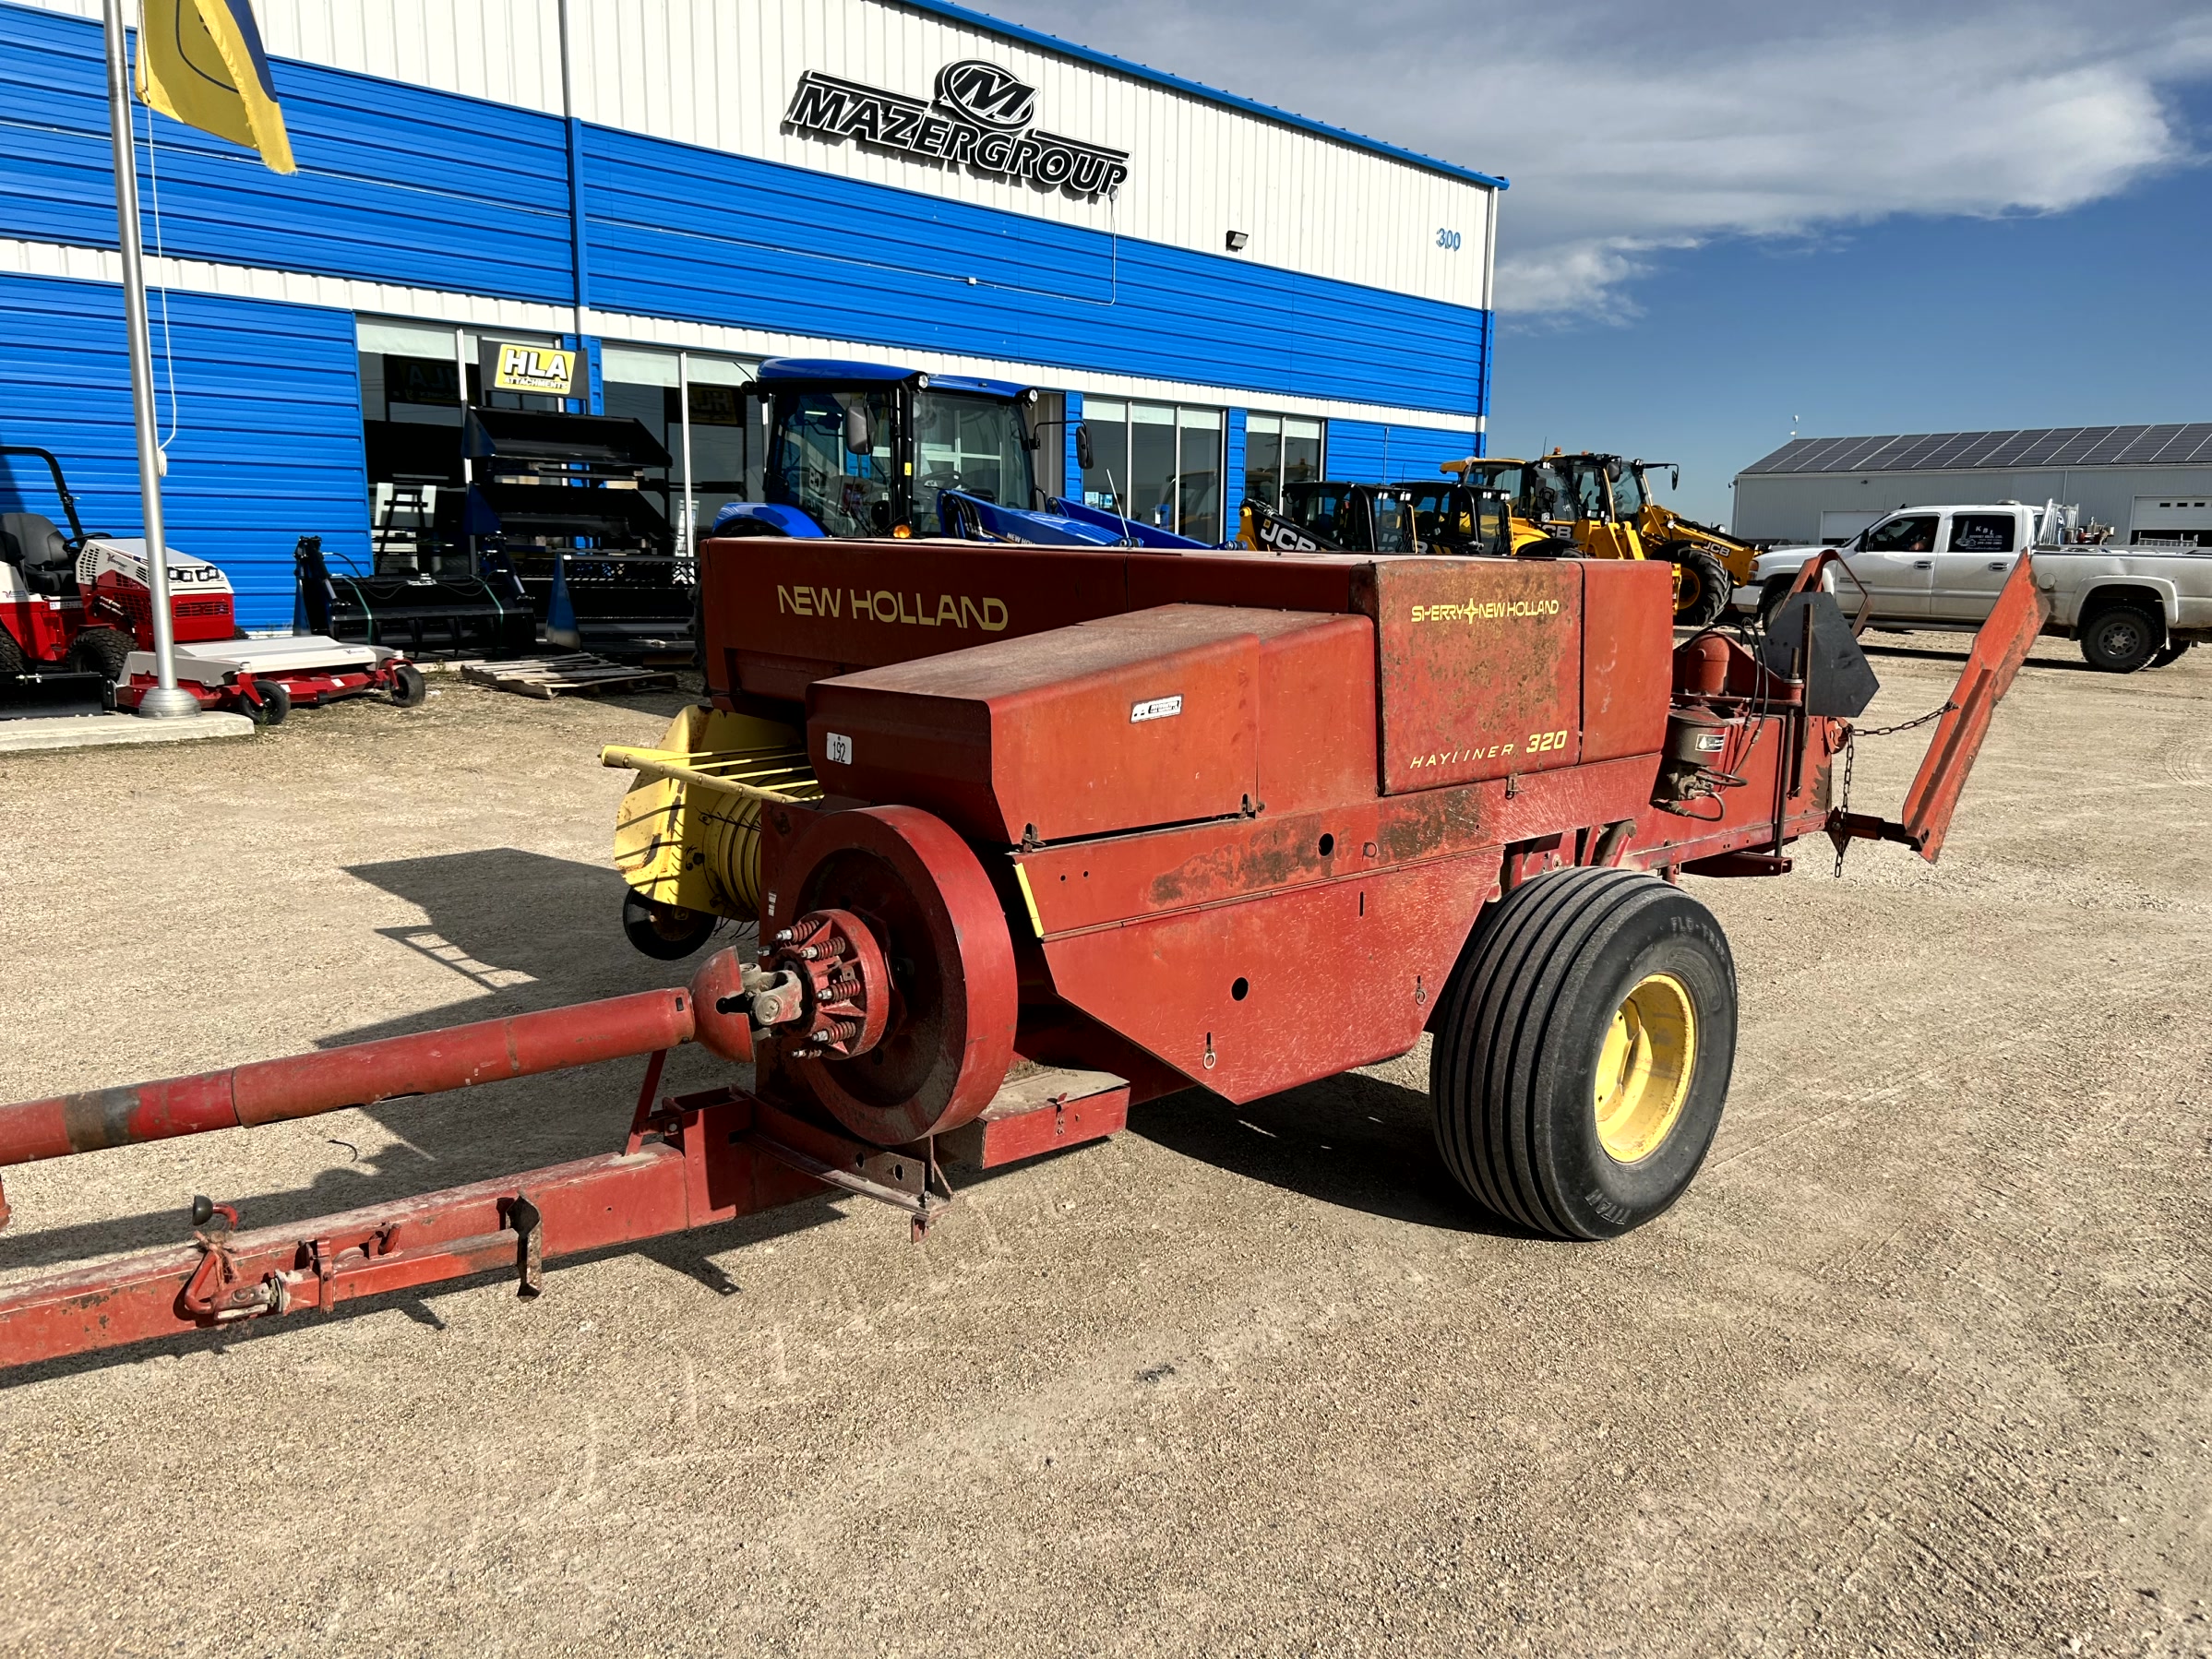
{"points": [[364, 1074]]}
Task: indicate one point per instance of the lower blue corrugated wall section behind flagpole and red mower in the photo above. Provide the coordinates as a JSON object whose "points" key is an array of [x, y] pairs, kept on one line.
{"points": [[269, 426]]}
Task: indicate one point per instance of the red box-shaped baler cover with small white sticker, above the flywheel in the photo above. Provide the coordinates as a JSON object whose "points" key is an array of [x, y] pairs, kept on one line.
{"points": [[1076, 733]]}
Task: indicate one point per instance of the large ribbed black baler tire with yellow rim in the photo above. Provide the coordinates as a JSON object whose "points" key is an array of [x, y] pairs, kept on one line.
{"points": [[1525, 1023]]}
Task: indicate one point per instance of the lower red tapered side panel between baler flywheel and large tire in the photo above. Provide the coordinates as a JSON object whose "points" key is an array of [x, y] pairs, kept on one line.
{"points": [[1288, 988]]}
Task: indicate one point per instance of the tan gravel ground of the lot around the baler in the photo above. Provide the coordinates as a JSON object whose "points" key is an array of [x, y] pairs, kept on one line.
{"points": [[1919, 1366]]}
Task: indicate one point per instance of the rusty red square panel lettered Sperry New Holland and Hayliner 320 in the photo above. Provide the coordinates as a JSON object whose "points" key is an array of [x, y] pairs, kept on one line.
{"points": [[1481, 669]]}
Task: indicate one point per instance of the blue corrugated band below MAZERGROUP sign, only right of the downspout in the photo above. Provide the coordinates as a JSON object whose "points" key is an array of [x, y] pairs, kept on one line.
{"points": [[716, 238]]}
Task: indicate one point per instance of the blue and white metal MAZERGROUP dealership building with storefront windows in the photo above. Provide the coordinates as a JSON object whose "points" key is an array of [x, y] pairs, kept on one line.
{"points": [[1229, 295]]}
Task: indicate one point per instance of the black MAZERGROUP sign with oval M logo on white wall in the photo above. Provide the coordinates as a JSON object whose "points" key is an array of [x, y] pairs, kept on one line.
{"points": [[981, 118]]}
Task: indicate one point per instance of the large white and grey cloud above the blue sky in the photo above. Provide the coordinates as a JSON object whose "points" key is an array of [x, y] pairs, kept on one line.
{"points": [[1629, 129]]}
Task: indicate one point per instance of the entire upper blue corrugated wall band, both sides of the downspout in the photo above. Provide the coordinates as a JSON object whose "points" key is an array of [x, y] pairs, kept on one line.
{"points": [[426, 189]]}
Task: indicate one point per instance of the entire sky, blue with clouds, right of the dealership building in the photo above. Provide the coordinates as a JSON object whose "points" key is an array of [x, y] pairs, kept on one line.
{"points": [[1733, 213]]}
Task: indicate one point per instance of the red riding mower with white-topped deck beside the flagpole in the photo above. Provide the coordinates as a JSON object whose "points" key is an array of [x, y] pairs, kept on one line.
{"points": [[81, 605]]}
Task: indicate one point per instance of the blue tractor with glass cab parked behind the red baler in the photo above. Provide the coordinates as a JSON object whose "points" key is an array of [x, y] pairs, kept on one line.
{"points": [[877, 450]]}
